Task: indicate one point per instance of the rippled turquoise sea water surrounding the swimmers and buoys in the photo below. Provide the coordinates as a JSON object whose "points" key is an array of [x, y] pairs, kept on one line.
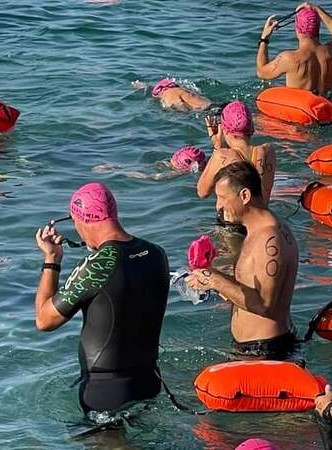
{"points": [[68, 67]]}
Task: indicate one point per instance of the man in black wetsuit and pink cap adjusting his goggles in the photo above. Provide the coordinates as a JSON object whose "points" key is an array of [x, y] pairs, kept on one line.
{"points": [[121, 288]]}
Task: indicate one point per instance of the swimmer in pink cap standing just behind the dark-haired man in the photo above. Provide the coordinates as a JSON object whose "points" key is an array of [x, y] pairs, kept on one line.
{"points": [[236, 128]]}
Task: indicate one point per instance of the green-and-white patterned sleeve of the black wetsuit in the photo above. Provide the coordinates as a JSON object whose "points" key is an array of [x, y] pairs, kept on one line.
{"points": [[85, 281]]}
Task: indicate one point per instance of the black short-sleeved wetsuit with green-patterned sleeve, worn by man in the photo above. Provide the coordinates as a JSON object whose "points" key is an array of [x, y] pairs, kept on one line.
{"points": [[122, 291]]}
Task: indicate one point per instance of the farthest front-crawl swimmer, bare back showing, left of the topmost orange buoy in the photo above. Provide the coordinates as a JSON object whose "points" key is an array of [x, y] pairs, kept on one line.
{"points": [[172, 95]]}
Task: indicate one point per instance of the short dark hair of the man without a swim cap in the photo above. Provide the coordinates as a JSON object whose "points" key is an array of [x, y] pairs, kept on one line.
{"points": [[240, 175]]}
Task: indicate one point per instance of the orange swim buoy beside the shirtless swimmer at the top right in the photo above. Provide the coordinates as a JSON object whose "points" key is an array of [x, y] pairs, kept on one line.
{"points": [[294, 105]]}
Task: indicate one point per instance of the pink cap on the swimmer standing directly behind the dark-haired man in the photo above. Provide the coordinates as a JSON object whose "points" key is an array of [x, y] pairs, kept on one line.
{"points": [[236, 119]]}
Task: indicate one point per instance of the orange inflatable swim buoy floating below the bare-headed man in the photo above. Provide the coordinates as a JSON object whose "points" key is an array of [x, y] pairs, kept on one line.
{"points": [[258, 386]]}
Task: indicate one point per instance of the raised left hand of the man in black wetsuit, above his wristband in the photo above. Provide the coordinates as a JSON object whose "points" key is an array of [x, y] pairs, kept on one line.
{"points": [[49, 242]]}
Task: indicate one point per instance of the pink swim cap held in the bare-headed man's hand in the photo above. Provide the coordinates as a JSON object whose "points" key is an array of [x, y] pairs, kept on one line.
{"points": [[201, 253]]}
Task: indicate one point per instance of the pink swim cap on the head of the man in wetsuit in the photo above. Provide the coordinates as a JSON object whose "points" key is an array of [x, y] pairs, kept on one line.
{"points": [[93, 202]]}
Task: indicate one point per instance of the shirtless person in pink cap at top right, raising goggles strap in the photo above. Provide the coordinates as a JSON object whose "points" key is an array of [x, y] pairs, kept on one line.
{"points": [[310, 65]]}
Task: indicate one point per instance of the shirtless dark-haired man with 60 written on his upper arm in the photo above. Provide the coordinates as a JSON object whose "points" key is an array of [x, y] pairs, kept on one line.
{"points": [[262, 286]]}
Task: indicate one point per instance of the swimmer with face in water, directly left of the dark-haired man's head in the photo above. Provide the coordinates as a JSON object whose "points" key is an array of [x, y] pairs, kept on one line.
{"points": [[187, 159]]}
